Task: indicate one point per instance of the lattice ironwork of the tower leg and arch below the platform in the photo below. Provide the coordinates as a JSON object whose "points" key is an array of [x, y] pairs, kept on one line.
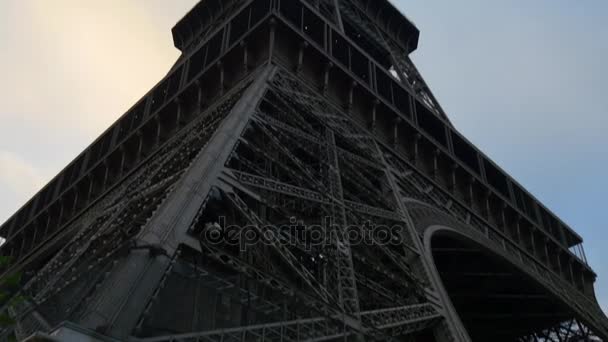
{"points": [[271, 152]]}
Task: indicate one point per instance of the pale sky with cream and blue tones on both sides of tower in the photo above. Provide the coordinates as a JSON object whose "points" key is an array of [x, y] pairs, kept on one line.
{"points": [[524, 80]]}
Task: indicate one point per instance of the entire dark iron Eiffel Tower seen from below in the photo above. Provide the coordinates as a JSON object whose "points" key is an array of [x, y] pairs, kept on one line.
{"points": [[293, 178]]}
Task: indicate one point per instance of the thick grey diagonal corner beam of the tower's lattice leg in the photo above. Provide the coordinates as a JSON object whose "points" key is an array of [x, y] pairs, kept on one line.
{"points": [[124, 295]]}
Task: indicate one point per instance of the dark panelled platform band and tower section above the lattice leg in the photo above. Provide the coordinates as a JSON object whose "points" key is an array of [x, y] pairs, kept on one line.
{"points": [[356, 54]]}
